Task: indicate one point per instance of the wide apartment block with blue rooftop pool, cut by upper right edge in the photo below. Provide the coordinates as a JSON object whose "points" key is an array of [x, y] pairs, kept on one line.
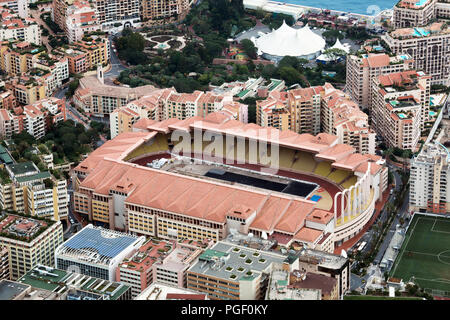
{"points": [[428, 47]]}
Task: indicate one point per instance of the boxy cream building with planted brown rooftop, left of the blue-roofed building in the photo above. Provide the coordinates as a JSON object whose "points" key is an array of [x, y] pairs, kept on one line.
{"points": [[30, 241]]}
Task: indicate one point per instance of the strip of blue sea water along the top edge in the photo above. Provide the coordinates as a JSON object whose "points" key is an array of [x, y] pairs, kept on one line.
{"points": [[354, 6]]}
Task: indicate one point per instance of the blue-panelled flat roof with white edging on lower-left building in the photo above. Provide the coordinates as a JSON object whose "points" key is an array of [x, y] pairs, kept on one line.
{"points": [[97, 243]]}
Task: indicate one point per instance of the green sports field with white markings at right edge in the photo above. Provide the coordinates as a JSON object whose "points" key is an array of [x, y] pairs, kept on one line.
{"points": [[425, 254]]}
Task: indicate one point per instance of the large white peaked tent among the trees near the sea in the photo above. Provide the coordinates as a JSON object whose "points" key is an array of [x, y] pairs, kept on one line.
{"points": [[287, 41]]}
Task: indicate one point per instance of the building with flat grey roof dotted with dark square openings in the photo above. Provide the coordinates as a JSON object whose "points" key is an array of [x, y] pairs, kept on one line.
{"points": [[232, 272]]}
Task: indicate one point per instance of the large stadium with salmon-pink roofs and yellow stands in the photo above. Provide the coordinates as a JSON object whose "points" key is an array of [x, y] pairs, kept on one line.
{"points": [[206, 177]]}
